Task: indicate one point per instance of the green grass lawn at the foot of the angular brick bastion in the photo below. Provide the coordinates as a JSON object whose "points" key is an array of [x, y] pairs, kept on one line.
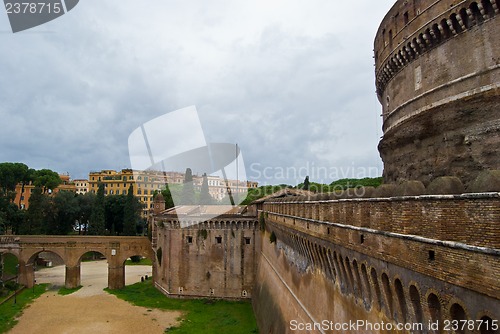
{"points": [[201, 316]]}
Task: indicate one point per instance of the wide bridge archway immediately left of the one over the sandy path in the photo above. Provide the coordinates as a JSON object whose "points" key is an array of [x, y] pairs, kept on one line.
{"points": [[48, 268]]}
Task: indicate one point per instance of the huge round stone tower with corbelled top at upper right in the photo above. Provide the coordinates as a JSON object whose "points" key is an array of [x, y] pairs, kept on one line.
{"points": [[438, 80]]}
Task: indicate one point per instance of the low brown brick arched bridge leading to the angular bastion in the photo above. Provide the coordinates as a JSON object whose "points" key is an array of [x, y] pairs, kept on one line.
{"points": [[71, 250]]}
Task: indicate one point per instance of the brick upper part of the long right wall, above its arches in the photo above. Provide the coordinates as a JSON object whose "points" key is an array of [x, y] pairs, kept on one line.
{"points": [[462, 231]]}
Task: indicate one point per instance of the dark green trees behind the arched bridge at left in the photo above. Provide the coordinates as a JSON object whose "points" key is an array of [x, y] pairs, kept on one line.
{"points": [[63, 212]]}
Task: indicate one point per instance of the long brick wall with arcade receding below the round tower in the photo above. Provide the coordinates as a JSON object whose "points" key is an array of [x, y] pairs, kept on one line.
{"points": [[391, 256]]}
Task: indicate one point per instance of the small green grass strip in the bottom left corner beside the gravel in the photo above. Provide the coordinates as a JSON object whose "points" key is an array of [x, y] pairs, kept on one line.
{"points": [[10, 311]]}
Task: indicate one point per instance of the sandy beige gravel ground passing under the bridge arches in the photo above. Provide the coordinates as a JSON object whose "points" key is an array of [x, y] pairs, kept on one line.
{"points": [[90, 309]]}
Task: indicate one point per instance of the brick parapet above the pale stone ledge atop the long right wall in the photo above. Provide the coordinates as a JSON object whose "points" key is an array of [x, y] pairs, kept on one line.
{"points": [[471, 219]]}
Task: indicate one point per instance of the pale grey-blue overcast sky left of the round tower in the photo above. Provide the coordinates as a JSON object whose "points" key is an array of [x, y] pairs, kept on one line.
{"points": [[292, 82]]}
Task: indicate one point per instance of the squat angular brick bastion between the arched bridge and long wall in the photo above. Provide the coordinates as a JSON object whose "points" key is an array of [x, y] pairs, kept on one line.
{"points": [[214, 258]]}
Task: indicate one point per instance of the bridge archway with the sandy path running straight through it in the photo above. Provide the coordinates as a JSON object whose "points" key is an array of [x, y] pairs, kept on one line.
{"points": [[93, 271]]}
